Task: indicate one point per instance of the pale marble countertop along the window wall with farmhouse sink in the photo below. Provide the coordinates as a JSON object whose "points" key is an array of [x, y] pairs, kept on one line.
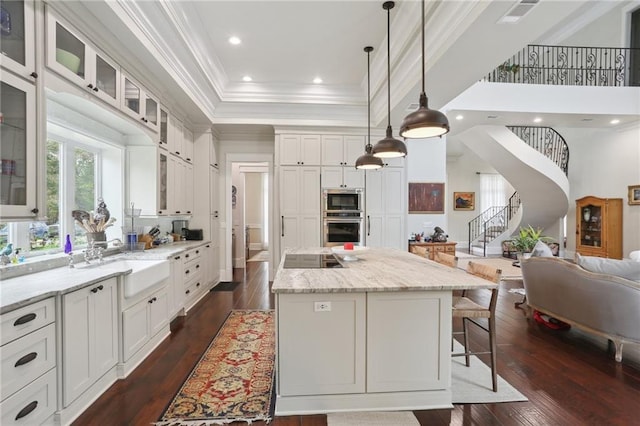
{"points": [[33, 287]]}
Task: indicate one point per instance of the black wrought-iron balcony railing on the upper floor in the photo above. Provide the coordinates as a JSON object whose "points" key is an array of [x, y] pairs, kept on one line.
{"points": [[570, 66]]}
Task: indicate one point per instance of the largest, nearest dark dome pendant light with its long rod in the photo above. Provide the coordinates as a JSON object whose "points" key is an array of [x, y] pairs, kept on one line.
{"points": [[424, 122]]}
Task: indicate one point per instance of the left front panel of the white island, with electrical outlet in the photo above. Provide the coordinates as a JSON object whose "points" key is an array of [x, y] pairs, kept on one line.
{"points": [[332, 341]]}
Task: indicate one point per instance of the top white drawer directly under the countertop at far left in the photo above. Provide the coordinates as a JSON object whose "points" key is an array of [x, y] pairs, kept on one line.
{"points": [[27, 319]]}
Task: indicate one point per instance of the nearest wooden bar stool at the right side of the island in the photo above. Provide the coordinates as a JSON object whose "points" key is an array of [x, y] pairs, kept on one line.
{"points": [[470, 311]]}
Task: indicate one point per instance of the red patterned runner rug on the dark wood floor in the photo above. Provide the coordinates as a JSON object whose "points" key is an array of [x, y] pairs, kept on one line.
{"points": [[233, 381]]}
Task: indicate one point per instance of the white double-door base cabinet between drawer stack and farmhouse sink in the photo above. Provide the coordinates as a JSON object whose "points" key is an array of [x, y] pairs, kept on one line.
{"points": [[89, 337]]}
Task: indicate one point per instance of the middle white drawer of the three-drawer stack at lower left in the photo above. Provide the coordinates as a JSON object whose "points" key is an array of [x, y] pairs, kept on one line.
{"points": [[27, 358]]}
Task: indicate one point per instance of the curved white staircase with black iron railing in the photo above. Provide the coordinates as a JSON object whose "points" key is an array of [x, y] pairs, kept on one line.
{"points": [[535, 162]]}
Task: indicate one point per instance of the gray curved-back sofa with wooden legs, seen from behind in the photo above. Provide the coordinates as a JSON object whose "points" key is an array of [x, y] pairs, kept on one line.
{"points": [[598, 303]]}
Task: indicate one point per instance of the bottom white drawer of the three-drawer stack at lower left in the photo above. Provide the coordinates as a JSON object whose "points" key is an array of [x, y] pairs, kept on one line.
{"points": [[33, 404]]}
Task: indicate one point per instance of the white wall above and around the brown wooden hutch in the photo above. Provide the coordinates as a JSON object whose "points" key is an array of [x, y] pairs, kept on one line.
{"points": [[604, 163]]}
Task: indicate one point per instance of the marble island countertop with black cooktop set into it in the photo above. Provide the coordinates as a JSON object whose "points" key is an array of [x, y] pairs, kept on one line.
{"points": [[377, 269]]}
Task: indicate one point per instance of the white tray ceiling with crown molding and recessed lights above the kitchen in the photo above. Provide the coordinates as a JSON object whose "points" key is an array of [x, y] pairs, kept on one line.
{"points": [[285, 44]]}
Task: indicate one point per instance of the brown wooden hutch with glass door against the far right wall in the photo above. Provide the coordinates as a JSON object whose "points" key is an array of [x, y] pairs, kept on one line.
{"points": [[599, 227]]}
